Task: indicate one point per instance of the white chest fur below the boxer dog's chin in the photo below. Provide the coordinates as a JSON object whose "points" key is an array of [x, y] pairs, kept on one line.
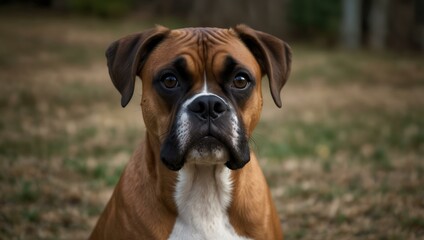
{"points": [[203, 195]]}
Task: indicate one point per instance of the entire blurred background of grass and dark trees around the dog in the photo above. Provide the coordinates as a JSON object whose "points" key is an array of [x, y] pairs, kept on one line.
{"points": [[343, 157]]}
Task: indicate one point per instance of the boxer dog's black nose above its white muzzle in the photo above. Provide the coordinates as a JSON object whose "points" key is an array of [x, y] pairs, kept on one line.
{"points": [[206, 107]]}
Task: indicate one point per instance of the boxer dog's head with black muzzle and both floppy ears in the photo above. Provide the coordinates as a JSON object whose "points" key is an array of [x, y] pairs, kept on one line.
{"points": [[201, 93]]}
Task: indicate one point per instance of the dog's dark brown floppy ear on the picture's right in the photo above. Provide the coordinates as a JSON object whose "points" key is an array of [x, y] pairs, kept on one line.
{"points": [[272, 54]]}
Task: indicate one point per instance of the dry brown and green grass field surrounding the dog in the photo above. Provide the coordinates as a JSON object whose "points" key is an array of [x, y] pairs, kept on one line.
{"points": [[343, 157]]}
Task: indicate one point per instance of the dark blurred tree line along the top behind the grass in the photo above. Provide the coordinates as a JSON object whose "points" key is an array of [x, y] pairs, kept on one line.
{"points": [[398, 24]]}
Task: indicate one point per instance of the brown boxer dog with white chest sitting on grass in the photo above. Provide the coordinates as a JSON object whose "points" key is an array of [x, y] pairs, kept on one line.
{"points": [[195, 176]]}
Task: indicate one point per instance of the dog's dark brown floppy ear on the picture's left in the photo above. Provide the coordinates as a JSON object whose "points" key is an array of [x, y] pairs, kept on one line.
{"points": [[126, 57]]}
